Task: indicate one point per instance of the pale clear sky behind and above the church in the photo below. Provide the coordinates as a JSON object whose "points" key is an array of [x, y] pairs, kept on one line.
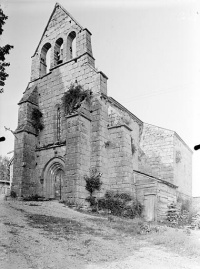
{"points": [[150, 51]]}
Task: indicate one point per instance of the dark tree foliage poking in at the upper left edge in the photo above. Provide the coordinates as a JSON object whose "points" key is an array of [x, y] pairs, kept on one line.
{"points": [[3, 52]]}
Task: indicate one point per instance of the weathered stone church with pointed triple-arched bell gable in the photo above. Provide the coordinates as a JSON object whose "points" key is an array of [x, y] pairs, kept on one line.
{"points": [[152, 163]]}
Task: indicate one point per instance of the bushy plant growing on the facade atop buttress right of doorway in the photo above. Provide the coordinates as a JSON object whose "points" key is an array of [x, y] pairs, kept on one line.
{"points": [[73, 98]]}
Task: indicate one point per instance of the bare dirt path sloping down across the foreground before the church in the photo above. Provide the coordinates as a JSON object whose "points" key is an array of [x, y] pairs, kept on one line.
{"points": [[42, 235]]}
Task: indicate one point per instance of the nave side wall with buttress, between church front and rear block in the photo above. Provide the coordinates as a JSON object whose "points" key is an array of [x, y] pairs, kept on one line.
{"points": [[121, 146]]}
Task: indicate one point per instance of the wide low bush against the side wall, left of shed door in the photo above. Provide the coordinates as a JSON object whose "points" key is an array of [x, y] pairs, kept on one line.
{"points": [[120, 204]]}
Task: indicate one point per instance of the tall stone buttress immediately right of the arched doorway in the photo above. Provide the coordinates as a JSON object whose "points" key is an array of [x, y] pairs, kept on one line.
{"points": [[78, 154]]}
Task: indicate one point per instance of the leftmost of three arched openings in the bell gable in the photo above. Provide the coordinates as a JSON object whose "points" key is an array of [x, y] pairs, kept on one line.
{"points": [[45, 59]]}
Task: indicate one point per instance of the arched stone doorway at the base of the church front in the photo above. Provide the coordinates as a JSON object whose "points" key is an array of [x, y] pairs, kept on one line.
{"points": [[53, 175]]}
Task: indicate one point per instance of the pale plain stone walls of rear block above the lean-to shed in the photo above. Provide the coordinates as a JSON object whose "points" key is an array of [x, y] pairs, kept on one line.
{"points": [[168, 156]]}
